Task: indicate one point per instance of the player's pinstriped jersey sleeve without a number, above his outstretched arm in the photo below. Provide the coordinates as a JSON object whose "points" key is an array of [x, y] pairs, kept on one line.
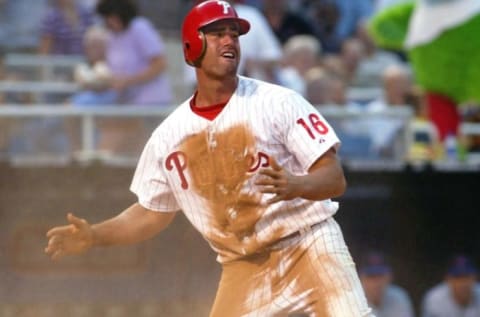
{"points": [[150, 182]]}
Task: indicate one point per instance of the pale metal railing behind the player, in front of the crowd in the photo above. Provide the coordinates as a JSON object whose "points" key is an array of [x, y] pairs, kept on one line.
{"points": [[89, 121]]}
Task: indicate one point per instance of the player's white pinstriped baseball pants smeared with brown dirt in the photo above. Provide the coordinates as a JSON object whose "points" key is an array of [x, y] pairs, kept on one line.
{"points": [[312, 273]]}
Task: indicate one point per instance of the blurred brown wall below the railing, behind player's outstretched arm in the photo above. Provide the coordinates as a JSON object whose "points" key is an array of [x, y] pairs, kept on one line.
{"points": [[173, 274]]}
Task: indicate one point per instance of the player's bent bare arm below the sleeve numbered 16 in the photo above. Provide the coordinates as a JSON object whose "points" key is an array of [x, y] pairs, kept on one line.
{"points": [[325, 179]]}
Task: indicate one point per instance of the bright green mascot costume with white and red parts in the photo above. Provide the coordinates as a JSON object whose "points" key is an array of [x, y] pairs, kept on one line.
{"points": [[442, 42]]}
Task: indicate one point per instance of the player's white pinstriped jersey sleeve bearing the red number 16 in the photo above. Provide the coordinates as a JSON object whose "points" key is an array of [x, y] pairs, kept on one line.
{"points": [[304, 131]]}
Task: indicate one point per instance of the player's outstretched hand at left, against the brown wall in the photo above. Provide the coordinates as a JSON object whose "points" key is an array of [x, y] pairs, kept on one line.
{"points": [[75, 238]]}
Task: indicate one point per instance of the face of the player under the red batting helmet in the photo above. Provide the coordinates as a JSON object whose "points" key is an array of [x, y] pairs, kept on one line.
{"points": [[223, 50]]}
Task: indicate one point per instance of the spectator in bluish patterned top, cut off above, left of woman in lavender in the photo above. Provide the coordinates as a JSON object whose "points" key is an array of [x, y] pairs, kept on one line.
{"points": [[63, 27]]}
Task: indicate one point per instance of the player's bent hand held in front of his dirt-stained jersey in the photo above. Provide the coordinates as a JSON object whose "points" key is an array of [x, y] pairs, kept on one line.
{"points": [[278, 181]]}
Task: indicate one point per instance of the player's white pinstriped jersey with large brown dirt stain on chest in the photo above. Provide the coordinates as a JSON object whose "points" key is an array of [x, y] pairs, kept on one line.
{"points": [[207, 168]]}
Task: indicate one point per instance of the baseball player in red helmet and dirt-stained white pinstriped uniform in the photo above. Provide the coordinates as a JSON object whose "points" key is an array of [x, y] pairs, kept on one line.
{"points": [[253, 167]]}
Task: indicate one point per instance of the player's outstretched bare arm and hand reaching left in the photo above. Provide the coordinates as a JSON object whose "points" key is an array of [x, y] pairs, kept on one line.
{"points": [[134, 224]]}
